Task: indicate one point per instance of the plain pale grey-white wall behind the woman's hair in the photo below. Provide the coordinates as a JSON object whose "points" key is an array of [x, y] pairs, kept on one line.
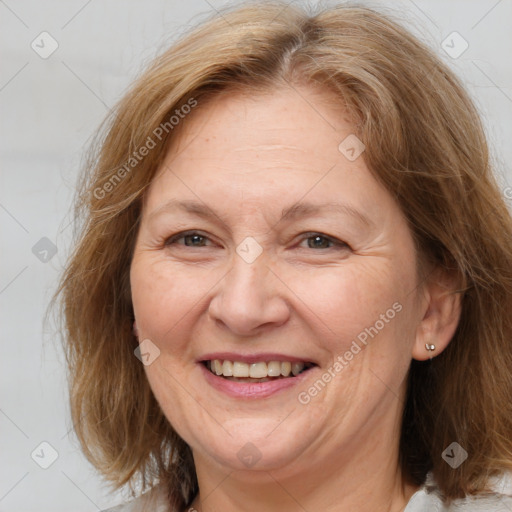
{"points": [[49, 110]]}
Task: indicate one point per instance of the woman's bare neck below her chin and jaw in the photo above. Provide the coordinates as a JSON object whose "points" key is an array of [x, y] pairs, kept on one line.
{"points": [[365, 478]]}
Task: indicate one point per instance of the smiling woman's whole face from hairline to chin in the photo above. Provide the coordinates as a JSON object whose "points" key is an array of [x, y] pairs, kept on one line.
{"points": [[332, 284]]}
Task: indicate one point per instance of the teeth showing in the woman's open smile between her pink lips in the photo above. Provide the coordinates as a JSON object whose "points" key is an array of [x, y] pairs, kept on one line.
{"points": [[256, 372]]}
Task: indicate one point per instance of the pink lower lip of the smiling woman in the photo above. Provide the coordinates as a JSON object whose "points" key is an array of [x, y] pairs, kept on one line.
{"points": [[251, 389]]}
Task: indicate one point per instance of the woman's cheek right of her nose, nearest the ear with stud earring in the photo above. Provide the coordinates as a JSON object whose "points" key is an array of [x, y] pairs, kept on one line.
{"points": [[367, 316]]}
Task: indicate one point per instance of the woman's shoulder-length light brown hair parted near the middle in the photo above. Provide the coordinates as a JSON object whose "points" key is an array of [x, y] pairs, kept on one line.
{"points": [[424, 141]]}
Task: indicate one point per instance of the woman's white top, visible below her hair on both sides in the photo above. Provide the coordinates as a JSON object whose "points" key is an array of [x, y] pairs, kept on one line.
{"points": [[425, 499]]}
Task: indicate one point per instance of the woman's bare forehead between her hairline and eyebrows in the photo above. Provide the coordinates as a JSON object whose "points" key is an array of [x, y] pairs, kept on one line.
{"points": [[276, 147]]}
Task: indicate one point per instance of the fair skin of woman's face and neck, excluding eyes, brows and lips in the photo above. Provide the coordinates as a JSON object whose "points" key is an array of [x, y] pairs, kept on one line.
{"points": [[247, 158]]}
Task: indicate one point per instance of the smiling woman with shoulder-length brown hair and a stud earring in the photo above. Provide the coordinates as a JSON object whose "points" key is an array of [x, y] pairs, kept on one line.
{"points": [[293, 286]]}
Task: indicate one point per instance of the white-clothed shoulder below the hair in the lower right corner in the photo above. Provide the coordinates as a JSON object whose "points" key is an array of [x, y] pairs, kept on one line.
{"points": [[427, 499]]}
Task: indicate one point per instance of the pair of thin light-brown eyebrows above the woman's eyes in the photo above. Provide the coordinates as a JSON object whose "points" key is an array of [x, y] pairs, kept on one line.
{"points": [[298, 210]]}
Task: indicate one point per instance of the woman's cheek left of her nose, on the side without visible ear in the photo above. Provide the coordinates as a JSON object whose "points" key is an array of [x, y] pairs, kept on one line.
{"points": [[164, 298]]}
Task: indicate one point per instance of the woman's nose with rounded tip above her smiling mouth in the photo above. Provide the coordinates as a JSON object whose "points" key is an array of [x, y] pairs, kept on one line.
{"points": [[250, 298]]}
